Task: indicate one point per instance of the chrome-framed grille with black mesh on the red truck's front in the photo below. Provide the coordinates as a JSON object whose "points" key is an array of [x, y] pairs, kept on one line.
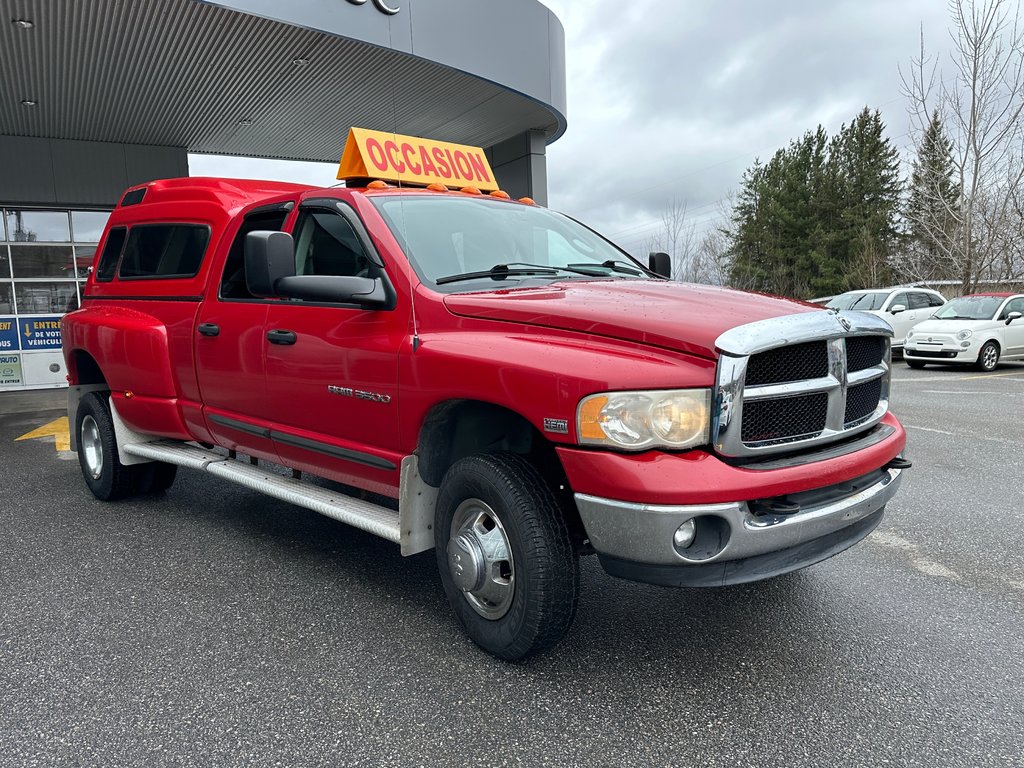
{"points": [[805, 380]]}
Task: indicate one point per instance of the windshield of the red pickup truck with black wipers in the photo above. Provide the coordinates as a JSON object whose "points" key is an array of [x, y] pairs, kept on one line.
{"points": [[459, 242]]}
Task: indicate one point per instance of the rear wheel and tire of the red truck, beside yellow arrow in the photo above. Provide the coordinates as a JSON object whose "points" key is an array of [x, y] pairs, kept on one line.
{"points": [[107, 478]]}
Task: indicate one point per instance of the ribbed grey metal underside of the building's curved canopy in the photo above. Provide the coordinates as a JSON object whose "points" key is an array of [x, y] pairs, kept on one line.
{"points": [[187, 74]]}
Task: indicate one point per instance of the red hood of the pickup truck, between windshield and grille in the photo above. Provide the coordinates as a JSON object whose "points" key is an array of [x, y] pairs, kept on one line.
{"points": [[674, 316]]}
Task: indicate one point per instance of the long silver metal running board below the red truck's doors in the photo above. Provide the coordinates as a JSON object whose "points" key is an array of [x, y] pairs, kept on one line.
{"points": [[373, 519]]}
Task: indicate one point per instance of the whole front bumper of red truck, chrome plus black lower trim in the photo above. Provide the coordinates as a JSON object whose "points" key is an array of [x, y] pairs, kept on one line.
{"points": [[737, 542]]}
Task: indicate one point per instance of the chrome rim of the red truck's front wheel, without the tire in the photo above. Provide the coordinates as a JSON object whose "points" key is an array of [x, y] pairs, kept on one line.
{"points": [[480, 560]]}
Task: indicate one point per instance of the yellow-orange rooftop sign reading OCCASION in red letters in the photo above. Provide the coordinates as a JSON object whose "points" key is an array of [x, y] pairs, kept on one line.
{"points": [[414, 161]]}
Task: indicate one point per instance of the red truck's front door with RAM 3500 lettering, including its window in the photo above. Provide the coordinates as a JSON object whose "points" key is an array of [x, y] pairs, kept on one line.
{"points": [[333, 369]]}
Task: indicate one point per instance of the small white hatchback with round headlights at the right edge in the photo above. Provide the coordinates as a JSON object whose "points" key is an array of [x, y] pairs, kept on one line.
{"points": [[977, 330]]}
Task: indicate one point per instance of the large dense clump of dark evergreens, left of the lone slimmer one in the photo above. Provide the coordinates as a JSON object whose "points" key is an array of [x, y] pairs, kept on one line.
{"points": [[821, 217]]}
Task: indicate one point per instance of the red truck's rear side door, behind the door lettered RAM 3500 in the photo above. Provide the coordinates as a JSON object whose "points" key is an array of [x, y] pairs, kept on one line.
{"points": [[231, 351]]}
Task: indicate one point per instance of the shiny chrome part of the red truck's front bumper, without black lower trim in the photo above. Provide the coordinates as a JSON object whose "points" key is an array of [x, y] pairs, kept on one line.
{"points": [[643, 534]]}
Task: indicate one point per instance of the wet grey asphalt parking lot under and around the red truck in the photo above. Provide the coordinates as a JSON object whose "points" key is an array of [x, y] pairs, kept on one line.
{"points": [[210, 626]]}
